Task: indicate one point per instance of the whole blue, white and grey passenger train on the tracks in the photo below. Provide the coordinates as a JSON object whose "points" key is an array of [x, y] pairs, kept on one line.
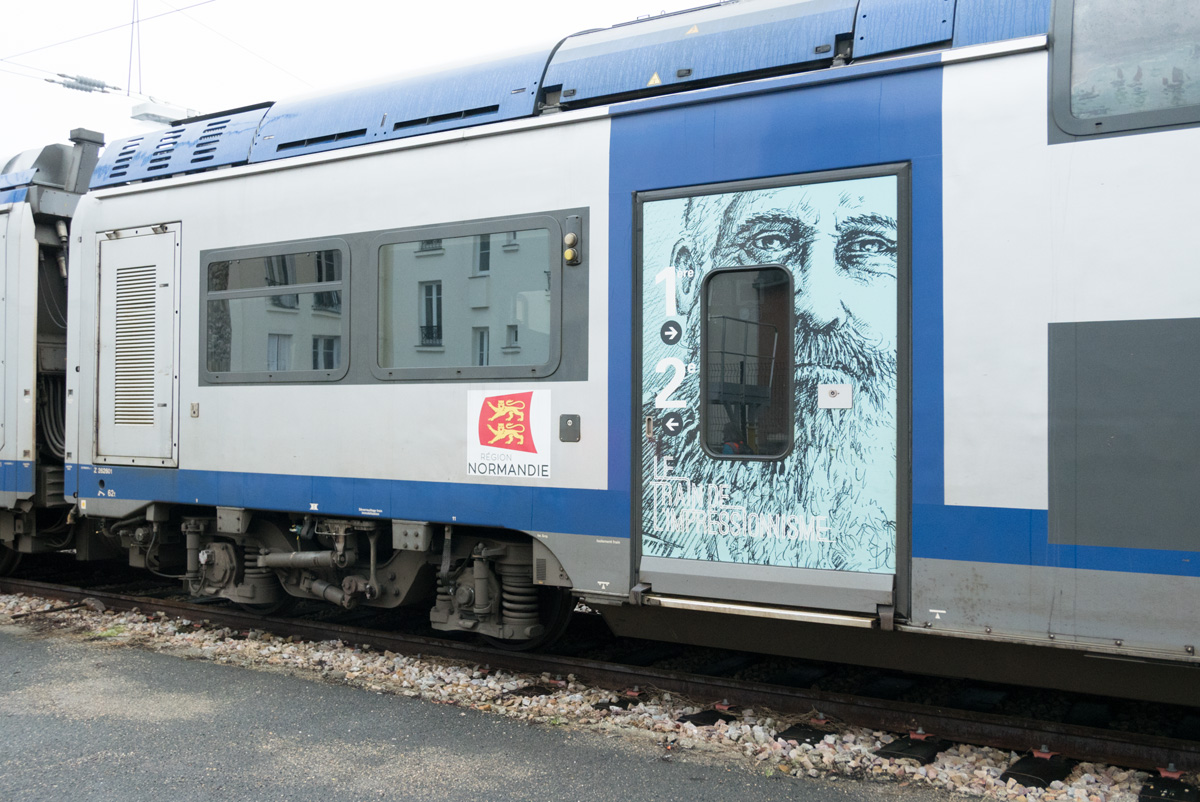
{"points": [[863, 330]]}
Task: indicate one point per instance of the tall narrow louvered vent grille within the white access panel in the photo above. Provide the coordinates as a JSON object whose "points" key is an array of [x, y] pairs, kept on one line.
{"points": [[135, 348]]}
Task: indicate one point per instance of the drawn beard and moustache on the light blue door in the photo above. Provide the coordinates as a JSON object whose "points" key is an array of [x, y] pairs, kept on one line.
{"points": [[842, 469]]}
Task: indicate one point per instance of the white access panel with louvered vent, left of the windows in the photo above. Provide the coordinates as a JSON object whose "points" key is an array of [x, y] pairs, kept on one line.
{"points": [[139, 330]]}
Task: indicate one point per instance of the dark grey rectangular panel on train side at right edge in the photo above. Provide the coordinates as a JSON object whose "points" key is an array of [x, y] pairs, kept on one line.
{"points": [[1125, 430]]}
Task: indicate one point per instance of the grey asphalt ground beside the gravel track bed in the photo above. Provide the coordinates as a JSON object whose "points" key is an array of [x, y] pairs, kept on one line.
{"points": [[89, 721]]}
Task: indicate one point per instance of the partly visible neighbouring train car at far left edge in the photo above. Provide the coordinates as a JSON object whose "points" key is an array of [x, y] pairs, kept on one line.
{"points": [[39, 193]]}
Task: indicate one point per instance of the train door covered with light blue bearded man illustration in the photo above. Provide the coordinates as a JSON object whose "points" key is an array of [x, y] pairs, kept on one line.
{"points": [[771, 436]]}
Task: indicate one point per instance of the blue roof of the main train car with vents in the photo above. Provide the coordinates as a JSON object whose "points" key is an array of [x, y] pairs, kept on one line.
{"points": [[713, 45]]}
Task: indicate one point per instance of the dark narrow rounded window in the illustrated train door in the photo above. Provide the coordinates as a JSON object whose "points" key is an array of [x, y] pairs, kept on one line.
{"points": [[747, 348]]}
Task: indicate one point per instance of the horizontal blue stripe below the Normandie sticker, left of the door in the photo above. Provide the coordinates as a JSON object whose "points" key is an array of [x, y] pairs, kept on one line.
{"points": [[539, 510]]}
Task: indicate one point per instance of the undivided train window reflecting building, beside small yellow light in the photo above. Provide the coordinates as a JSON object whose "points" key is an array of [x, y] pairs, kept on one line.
{"points": [[439, 306]]}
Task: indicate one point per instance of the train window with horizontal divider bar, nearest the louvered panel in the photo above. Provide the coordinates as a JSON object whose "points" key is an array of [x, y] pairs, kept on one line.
{"points": [[267, 308]]}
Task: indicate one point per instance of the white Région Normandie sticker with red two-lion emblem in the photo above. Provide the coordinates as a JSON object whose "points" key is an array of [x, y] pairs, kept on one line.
{"points": [[508, 435]]}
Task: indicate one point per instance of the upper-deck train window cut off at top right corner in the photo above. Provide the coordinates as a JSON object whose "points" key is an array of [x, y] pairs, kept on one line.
{"points": [[1125, 67]]}
